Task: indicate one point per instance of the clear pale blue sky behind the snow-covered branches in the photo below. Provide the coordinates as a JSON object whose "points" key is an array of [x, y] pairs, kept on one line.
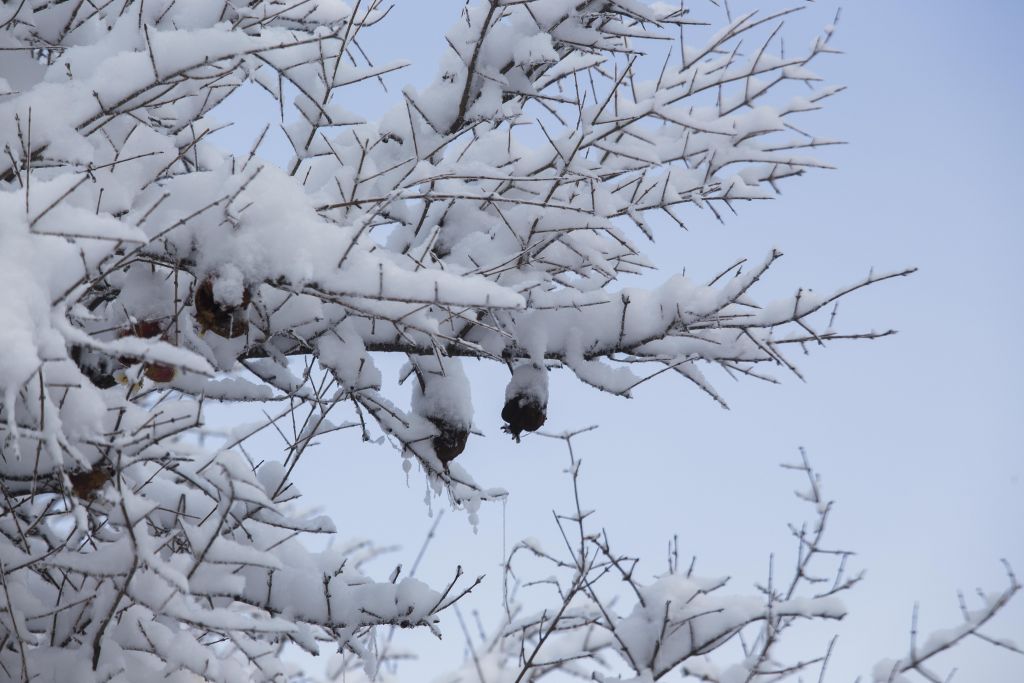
{"points": [[917, 437]]}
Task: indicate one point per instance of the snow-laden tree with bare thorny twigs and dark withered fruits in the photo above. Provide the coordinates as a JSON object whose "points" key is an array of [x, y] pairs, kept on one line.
{"points": [[495, 216]]}
